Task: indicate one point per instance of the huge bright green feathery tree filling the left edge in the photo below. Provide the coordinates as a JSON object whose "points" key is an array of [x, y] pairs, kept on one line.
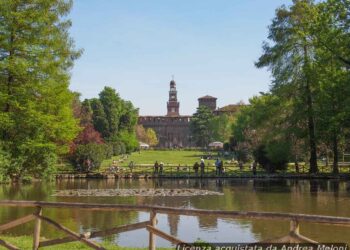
{"points": [[36, 53]]}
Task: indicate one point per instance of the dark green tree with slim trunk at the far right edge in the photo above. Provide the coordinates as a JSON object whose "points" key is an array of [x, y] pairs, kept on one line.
{"points": [[333, 100]]}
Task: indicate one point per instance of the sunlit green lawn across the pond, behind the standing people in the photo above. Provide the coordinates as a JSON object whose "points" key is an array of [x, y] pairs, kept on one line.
{"points": [[172, 159]]}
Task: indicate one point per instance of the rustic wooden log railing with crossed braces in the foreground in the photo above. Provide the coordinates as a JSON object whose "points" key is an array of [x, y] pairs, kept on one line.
{"points": [[292, 237]]}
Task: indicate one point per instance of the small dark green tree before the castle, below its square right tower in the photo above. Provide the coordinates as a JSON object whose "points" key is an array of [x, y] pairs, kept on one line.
{"points": [[200, 126]]}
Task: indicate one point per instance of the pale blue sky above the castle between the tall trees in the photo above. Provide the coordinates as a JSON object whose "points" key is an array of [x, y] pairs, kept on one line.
{"points": [[136, 46]]}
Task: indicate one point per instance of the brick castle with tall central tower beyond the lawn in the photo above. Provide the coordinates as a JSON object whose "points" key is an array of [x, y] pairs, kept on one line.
{"points": [[173, 129]]}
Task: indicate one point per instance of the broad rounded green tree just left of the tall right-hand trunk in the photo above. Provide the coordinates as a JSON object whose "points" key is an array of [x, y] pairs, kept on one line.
{"points": [[263, 129]]}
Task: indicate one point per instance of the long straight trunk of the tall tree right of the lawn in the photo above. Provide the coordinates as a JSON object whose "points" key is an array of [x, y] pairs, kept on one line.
{"points": [[310, 116]]}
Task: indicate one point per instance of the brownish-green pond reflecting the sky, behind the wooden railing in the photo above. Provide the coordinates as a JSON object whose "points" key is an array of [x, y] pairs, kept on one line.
{"points": [[296, 196]]}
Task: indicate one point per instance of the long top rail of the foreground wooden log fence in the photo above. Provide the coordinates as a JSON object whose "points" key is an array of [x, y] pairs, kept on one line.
{"points": [[341, 221]]}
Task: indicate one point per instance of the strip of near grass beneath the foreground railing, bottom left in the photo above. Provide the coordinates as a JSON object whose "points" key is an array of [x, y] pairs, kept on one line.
{"points": [[26, 242]]}
